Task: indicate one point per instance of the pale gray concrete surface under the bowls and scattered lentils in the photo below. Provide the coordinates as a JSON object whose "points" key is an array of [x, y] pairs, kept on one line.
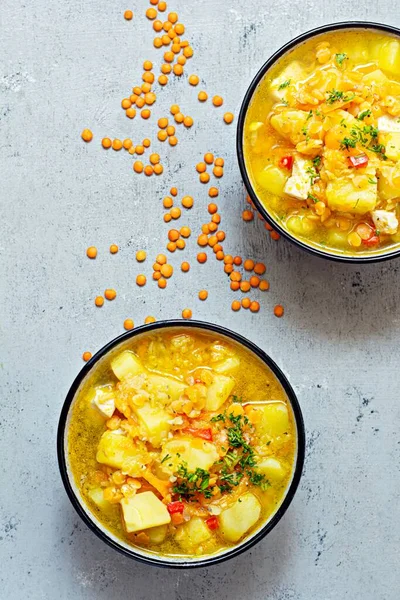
{"points": [[66, 66]]}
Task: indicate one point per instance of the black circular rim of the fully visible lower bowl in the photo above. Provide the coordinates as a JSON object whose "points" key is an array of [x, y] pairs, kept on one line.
{"points": [[297, 472]]}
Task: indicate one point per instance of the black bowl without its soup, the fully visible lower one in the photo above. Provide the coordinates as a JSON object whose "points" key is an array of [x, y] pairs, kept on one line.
{"points": [[89, 517]]}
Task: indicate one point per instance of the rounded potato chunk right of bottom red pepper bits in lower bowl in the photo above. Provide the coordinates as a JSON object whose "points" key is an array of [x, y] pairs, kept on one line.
{"points": [[240, 517]]}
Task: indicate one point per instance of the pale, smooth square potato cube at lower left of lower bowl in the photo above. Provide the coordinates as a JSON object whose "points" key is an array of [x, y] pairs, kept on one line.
{"points": [[142, 511]]}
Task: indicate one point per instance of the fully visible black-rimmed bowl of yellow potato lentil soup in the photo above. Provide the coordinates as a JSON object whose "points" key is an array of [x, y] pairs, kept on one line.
{"points": [[181, 444]]}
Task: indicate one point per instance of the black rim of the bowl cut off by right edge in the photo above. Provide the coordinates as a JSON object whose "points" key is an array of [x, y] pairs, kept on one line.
{"points": [[239, 138]]}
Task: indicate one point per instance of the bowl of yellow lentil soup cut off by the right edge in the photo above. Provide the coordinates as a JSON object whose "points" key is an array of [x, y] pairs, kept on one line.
{"points": [[319, 141]]}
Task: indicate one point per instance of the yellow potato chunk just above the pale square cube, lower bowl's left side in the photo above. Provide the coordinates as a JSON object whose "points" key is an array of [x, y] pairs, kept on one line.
{"points": [[119, 451]]}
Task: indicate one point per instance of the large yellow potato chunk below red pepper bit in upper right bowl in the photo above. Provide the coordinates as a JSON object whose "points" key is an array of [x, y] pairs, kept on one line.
{"points": [[345, 196]]}
